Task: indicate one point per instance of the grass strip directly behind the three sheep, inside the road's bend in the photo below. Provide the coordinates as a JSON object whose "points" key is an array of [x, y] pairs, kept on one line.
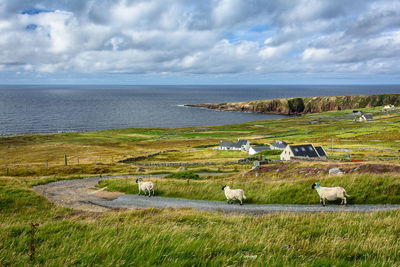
{"points": [[363, 188]]}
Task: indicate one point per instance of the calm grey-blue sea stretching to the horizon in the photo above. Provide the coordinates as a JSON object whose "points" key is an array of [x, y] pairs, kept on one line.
{"points": [[40, 109]]}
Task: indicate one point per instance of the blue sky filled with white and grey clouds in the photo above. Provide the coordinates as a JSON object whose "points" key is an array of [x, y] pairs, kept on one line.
{"points": [[199, 42]]}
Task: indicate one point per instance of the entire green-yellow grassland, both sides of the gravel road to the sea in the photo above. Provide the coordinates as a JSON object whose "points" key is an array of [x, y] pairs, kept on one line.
{"points": [[185, 237]]}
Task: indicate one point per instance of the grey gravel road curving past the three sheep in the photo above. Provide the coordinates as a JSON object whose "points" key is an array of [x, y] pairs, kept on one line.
{"points": [[77, 194]]}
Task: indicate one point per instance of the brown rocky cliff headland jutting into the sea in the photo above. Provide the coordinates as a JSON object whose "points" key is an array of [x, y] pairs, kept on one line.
{"points": [[302, 105]]}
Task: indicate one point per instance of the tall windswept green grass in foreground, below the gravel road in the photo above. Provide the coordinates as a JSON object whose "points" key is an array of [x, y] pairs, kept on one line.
{"points": [[155, 237]]}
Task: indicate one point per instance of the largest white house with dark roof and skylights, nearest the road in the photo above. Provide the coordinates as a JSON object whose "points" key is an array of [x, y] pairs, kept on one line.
{"points": [[307, 151]]}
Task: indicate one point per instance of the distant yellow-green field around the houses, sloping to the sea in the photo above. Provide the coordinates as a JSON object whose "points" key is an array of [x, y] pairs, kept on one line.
{"points": [[99, 152]]}
